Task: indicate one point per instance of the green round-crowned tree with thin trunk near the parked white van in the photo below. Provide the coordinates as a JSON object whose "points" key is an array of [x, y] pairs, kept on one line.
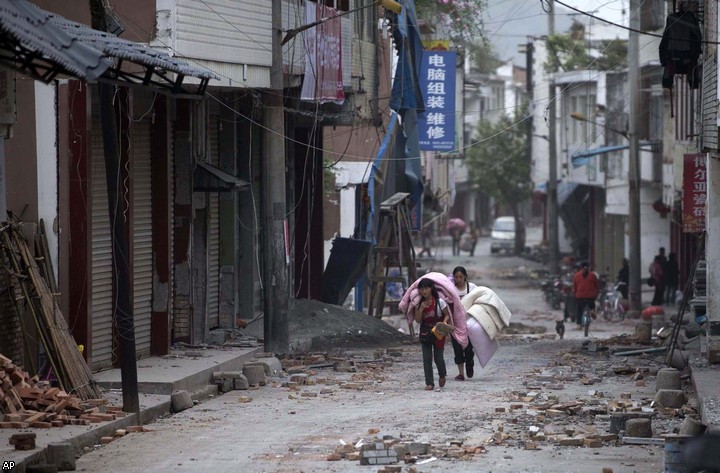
{"points": [[497, 163]]}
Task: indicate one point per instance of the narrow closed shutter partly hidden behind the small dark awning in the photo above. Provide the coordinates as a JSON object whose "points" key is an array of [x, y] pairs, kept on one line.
{"points": [[213, 293]]}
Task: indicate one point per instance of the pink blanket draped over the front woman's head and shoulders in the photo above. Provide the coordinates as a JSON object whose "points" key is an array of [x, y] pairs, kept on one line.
{"points": [[446, 289]]}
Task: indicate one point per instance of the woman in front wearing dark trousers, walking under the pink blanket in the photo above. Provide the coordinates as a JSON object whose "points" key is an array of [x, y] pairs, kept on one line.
{"points": [[432, 309]]}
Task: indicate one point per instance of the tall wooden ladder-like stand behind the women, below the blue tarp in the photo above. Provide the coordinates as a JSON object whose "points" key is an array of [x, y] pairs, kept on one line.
{"points": [[394, 249]]}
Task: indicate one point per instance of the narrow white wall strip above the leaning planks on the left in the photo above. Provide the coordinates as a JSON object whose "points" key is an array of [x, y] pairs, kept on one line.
{"points": [[47, 175]]}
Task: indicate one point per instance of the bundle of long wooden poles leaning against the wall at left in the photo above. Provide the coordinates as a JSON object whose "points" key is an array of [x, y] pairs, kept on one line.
{"points": [[68, 365]]}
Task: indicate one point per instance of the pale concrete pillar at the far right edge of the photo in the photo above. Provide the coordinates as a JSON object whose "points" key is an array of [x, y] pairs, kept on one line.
{"points": [[712, 255]]}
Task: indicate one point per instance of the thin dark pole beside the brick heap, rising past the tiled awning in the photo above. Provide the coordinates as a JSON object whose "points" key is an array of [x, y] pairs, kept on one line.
{"points": [[120, 250]]}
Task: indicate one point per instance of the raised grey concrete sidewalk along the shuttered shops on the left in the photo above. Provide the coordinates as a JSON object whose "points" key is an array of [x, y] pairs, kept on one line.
{"points": [[158, 377]]}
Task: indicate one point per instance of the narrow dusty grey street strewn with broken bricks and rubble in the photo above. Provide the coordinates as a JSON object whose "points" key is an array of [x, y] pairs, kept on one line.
{"points": [[535, 394]]}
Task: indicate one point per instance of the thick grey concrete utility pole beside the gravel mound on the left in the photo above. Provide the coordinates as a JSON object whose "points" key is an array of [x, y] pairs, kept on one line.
{"points": [[276, 268]]}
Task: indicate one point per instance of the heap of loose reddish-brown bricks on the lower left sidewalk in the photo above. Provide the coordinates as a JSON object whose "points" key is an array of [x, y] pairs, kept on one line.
{"points": [[27, 402]]}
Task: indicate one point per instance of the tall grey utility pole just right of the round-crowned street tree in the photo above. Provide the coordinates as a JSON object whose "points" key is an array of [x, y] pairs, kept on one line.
{"points": [[552, 154]]}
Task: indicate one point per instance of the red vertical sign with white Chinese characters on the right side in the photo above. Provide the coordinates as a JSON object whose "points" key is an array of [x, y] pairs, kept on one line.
{"points": [[694, 192]]}
